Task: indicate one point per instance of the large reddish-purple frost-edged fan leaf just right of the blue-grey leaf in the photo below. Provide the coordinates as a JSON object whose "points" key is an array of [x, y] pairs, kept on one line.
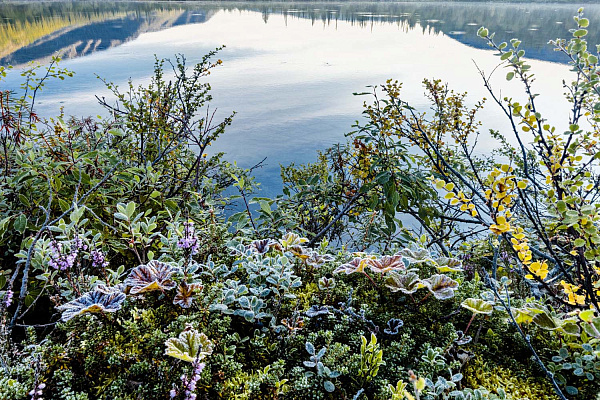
{"points": [[155, 275]]}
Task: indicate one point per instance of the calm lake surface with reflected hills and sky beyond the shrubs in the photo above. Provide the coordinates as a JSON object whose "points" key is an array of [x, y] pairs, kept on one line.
{"points": [[289, 69]]}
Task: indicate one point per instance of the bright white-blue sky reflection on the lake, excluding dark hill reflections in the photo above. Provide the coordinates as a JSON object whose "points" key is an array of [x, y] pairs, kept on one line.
{"points": [[291, 80]]}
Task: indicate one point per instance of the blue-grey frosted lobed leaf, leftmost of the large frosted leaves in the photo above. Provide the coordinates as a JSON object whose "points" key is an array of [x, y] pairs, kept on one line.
{"points": [[101, 299]]}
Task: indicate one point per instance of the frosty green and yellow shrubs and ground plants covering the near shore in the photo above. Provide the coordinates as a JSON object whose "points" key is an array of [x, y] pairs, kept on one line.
{"points": [[122, 278]]}
